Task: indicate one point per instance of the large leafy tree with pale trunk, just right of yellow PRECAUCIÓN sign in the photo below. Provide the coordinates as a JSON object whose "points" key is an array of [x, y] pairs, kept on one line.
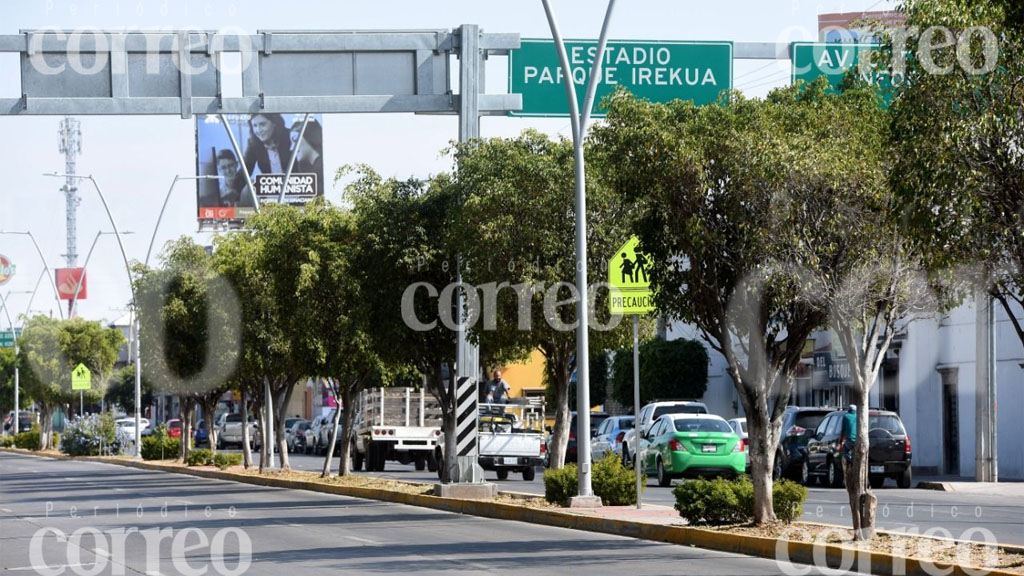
{"points": [[712, 191]]}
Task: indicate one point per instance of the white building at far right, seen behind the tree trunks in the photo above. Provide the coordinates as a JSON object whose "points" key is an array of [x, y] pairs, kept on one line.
{"points": [[928, 379]]}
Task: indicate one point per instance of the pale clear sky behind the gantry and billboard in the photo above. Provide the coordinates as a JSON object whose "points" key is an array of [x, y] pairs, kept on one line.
{"points": [[136, 159]]}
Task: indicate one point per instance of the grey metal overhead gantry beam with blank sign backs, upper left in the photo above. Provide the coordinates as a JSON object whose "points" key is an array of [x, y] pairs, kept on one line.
{"points": [[180, 73]]}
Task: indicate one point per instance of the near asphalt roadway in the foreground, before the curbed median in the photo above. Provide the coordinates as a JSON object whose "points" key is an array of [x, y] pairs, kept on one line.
{"points": [[188, 525]]}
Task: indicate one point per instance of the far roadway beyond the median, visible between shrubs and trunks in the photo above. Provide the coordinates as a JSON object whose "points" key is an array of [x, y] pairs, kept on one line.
{"points": [[903, 511]]}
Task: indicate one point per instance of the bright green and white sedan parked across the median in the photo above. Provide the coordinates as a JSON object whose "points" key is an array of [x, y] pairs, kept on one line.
{"points": [[693, 445]]}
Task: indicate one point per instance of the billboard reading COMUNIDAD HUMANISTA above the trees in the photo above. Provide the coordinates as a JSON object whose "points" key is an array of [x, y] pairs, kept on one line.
{"points": [[268, 143]]}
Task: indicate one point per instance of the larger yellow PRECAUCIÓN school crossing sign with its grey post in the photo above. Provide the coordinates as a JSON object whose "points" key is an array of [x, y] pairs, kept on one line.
{"points": [[631, 296]]}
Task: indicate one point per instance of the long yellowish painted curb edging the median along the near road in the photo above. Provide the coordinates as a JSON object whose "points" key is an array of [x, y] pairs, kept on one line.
{"points": [[835, 557]]}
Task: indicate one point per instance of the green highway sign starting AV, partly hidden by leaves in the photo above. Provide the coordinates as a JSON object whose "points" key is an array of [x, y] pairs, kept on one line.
{"points": [[814, 60]]}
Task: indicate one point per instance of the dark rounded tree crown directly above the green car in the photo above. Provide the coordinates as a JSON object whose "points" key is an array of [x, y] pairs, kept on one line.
{"points": [[669, 369]]}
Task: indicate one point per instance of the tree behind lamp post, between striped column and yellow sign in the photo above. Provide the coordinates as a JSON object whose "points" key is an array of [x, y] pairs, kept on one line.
{"points": [[516, 231]]}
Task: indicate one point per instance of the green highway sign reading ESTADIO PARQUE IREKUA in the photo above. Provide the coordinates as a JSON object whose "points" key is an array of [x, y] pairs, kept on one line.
{"points": [[656, 71]]}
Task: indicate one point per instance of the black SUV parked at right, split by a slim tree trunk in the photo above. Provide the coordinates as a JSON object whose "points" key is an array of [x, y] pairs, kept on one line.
{"points": [[889, 451]]}
